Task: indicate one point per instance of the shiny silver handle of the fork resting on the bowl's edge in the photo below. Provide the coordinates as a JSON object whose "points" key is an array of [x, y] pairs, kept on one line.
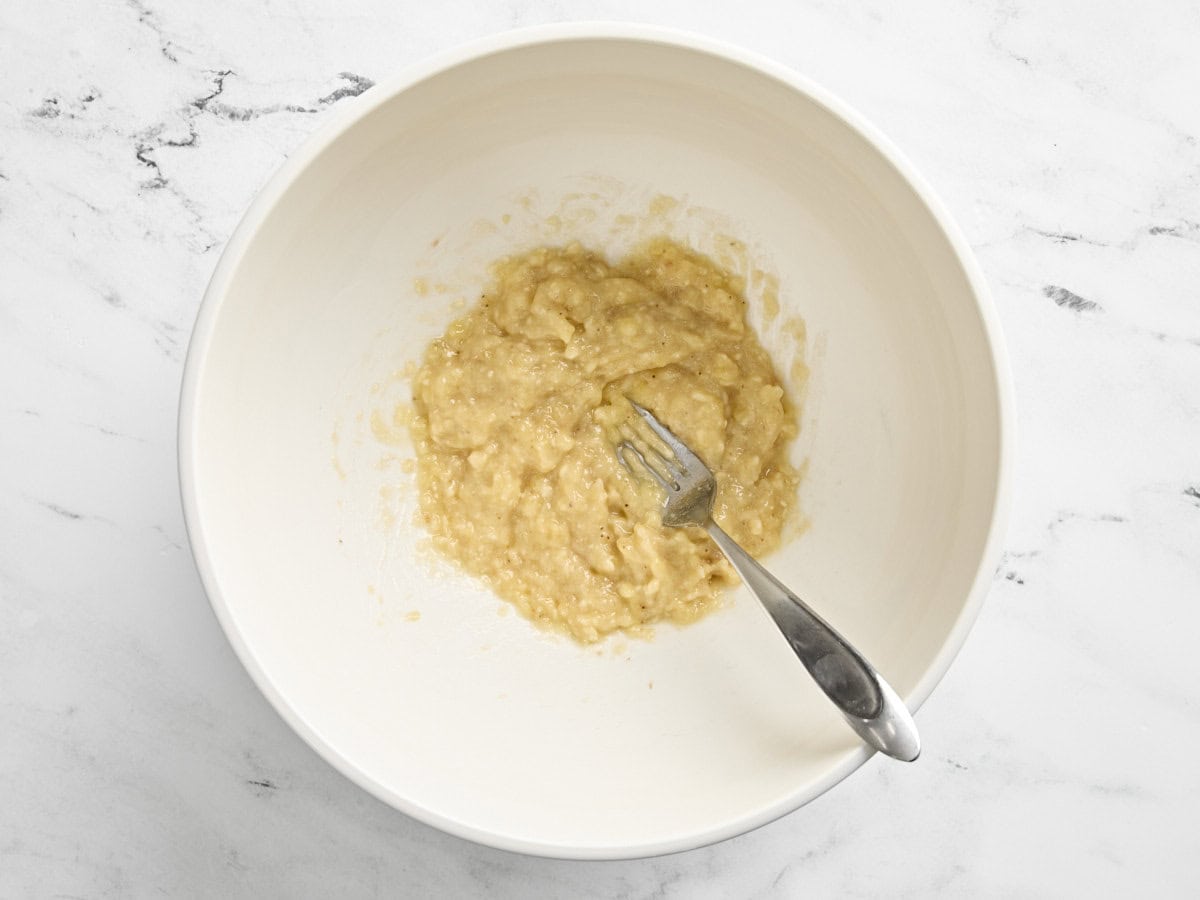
{"points": [[865, 699]]}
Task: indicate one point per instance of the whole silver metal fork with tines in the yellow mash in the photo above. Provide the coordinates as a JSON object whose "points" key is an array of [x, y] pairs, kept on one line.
{"points": [[865, 699]]}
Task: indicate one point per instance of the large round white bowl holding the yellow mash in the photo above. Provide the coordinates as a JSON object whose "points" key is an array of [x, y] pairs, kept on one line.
{"points": [[472, 721]]}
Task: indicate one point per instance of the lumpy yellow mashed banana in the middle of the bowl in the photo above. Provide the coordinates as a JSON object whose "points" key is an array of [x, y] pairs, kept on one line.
{"points": [[519, 407]]}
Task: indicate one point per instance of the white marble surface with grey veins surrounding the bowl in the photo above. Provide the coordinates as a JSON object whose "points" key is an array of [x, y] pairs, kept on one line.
{"points": [[139, 760]]}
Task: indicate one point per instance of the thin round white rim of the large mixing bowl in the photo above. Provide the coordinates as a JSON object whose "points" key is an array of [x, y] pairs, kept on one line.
{"points": [[355, 110]]}
